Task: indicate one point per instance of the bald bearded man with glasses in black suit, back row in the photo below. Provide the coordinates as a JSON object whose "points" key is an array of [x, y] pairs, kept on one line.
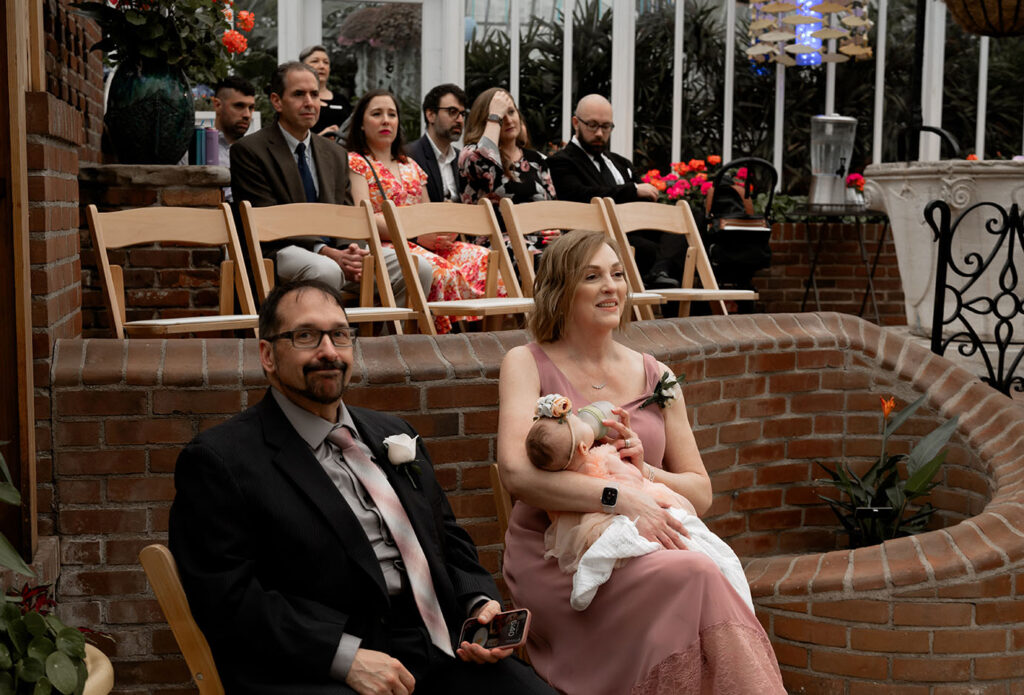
{"points": [[585, 168]]}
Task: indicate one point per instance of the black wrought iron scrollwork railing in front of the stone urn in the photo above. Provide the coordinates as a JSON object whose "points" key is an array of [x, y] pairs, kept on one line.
{"points": [[962, 303]]}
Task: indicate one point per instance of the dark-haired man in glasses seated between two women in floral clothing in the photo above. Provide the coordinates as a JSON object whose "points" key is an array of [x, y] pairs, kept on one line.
{"points": [[445, 112]]}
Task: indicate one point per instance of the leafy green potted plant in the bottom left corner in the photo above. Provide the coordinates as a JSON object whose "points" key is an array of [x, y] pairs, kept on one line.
{"points": [[38, 654]]}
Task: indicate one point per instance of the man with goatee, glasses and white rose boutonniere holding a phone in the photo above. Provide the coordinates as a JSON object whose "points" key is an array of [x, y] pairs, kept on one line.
{"points": [[316, 559]]}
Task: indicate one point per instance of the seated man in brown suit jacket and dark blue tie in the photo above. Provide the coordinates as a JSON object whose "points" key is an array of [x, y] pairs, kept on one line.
{"points": [[287, 163]]}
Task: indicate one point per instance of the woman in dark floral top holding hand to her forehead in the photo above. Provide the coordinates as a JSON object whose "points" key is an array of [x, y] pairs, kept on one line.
{"points": [[497, 161]]}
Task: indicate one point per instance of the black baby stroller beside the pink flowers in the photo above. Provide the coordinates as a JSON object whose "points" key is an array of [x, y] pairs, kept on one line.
{"points": [[737, 237]]}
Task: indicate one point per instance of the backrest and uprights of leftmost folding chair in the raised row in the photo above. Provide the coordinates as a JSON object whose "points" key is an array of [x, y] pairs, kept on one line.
{"points": [[195, 227]]}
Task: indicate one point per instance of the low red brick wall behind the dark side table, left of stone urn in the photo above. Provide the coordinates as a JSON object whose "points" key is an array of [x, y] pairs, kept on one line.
{"points": [[842, 276]]}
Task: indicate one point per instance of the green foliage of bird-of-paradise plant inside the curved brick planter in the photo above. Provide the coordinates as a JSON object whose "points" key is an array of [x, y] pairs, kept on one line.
{"points": [[875, 507]]}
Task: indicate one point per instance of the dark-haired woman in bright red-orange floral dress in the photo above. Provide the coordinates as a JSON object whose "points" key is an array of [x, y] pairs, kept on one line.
{"points": [[379, 169]]}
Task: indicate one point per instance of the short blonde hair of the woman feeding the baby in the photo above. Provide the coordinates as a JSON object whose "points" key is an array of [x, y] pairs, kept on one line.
{"points": [[563, 267]]}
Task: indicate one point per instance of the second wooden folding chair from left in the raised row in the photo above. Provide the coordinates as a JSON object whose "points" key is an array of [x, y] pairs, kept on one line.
{"points": [[278, 223]]}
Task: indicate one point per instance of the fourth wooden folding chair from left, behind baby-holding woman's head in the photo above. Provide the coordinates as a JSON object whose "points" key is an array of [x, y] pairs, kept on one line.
{"points": [[530, 219]]}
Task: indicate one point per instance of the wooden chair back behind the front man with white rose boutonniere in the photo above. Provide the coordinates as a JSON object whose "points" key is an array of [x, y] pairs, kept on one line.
{"points": [[162, 573]]}
